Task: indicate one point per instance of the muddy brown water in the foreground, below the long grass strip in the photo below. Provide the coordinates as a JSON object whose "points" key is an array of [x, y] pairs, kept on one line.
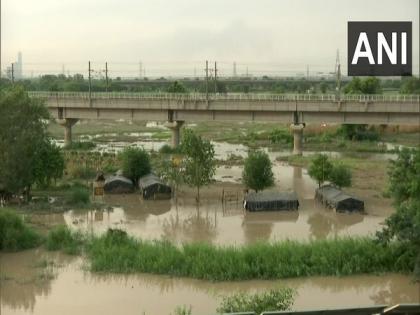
{"points": [[65, 287]]}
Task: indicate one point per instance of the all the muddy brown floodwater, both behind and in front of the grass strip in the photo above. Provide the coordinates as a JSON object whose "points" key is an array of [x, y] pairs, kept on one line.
{"points": [[38, 282]]}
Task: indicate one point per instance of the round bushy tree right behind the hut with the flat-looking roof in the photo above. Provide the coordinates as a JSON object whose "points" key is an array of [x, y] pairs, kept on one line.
{"points": [[257, 173]]}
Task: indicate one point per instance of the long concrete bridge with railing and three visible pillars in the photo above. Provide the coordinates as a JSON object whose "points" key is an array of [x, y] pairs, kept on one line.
{"points": [[294, 109]]}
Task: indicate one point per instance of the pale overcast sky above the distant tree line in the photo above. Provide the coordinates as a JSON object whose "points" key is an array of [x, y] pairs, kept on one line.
{"points": [[178, 35]]}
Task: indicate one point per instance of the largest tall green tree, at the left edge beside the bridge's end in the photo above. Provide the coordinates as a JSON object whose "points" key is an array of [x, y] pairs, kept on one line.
{"points": [[22, 133]]}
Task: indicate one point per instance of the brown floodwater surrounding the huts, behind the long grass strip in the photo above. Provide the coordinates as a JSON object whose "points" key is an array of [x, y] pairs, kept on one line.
{"points": [[226, 223]]}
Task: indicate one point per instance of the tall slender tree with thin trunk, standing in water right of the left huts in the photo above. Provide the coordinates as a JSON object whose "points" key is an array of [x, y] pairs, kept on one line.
{"points": [[199, 163]]}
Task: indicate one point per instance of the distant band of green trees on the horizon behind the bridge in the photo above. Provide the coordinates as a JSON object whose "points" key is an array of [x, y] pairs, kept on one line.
{"points": [[78, 82]]}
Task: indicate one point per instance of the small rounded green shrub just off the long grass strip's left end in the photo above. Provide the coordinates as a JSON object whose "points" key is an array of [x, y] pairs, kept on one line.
{"points": [[62, 238]]}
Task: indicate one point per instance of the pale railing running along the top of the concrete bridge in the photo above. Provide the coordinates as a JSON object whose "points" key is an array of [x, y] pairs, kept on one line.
{"points": [[228, 97]]}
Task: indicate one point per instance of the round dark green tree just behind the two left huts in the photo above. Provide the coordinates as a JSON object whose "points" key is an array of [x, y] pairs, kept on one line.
{"points": [[135, 163]]}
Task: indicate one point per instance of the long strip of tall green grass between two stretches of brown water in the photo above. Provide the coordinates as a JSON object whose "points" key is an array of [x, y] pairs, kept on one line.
{"points": [[116, 252]]}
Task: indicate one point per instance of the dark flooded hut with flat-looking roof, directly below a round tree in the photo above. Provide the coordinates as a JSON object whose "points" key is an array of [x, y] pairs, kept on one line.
{"points": [[271, 201]]}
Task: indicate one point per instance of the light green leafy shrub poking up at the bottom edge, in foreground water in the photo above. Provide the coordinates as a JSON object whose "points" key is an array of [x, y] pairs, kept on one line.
{"points": [[280, 299]]}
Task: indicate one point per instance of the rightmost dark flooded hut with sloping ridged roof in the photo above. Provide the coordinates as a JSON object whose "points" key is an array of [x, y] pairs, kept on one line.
{"points": [[334, 198]]}
